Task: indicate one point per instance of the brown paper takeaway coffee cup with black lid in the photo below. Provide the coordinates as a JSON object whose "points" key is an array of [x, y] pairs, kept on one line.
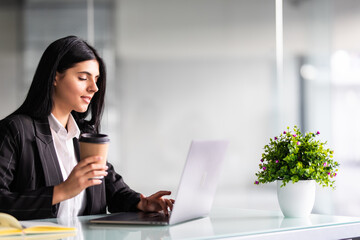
{"points": [[94, 145]]}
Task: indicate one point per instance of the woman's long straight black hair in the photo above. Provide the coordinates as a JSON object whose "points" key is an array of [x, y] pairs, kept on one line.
{"points": [[59, 56]]}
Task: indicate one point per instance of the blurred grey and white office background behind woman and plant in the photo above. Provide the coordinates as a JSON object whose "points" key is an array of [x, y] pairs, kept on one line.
{"points": [[206, 69]]}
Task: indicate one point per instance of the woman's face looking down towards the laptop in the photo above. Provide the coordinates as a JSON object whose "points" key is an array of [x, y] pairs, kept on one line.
{"points": [[74, 89]]}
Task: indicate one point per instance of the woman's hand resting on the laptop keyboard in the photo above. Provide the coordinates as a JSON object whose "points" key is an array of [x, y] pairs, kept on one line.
{"points": [[156, 202]]}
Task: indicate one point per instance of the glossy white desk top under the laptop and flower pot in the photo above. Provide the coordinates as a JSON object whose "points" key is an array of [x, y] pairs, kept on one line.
{"points": [[228, 223]]}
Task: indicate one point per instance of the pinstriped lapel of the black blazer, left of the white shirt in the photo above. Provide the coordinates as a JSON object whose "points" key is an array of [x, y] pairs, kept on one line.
{"points": [[49, 160]]}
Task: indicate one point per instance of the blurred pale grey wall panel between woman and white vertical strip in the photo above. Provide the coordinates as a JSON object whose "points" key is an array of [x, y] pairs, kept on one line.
{"points": [[194, 70]]}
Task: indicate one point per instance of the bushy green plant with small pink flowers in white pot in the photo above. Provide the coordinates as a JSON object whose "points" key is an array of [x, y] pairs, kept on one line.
{"points": [[301, 160]]}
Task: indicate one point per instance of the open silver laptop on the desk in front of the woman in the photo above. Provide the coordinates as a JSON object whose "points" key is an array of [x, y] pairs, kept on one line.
{"points": [[195, 193]]}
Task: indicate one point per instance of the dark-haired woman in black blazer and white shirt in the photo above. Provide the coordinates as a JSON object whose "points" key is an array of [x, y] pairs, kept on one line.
{"points": [[40, 172]]}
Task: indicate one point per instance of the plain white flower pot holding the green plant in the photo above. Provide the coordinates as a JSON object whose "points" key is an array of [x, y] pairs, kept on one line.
{"points": [[296, 199]]}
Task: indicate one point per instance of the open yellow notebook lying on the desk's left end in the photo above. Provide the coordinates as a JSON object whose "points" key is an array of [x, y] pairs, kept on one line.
{"points": [[11, 227]]}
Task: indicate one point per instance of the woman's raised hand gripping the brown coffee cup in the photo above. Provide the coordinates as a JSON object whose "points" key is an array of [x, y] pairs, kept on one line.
{"points": [[80, 178]]}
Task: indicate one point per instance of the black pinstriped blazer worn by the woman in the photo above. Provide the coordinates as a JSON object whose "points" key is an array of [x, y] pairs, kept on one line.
{"points": [[29, 170]]}
